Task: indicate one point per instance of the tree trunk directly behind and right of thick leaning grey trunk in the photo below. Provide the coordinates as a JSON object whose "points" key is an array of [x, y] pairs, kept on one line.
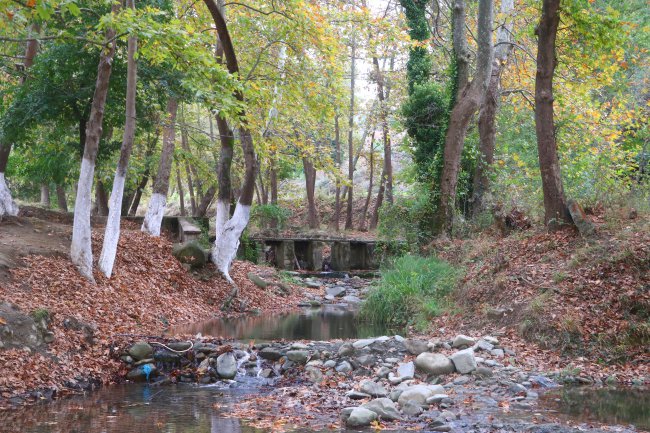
{"points": [[489, 108]]}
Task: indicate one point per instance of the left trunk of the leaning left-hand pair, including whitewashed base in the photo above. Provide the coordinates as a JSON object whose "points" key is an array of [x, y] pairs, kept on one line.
{"points": [[81, 248]]}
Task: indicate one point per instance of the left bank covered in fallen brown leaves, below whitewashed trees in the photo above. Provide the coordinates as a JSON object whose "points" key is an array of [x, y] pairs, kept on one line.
{"points": [[148, 292]]}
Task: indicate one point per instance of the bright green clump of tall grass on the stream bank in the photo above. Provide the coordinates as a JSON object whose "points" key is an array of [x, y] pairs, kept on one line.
{"points": [[411, 291]]}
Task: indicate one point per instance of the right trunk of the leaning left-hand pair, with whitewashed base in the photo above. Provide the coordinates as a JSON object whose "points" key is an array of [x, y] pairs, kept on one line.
{"points": [[112, 230]]}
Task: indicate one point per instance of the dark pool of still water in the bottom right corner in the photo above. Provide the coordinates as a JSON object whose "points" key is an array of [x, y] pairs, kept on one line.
{"points": [[611, 406]]}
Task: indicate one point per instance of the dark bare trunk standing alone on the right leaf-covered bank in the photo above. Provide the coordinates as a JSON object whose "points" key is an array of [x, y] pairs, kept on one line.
{"points": [[556, 211]]}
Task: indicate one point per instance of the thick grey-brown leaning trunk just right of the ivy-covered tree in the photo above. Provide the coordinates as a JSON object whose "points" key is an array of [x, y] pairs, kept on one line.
{"points": [[461, 114]]}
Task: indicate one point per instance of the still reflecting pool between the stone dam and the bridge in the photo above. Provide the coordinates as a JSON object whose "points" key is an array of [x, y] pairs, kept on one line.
{"points": [[327, 323]]}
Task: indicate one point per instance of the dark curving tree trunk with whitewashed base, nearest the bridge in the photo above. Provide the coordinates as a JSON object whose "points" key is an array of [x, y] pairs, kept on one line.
{"points": [[227, 241]]}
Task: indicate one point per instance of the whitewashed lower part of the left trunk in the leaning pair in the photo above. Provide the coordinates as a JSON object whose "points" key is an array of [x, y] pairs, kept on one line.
{"points": [[81, 250]]}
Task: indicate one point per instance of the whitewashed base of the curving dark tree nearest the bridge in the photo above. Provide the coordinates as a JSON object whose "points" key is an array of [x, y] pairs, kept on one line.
{"points": [[225, 245]]}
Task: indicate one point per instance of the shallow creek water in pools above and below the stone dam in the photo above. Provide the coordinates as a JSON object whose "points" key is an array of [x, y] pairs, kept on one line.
{"points": [[138, 408]]}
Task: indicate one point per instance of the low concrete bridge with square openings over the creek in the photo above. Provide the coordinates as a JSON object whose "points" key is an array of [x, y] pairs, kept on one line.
{"points": [[293, 253]]}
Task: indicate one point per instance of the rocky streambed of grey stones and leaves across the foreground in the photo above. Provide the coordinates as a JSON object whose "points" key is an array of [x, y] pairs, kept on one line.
{"points": [[464, 384]]}
